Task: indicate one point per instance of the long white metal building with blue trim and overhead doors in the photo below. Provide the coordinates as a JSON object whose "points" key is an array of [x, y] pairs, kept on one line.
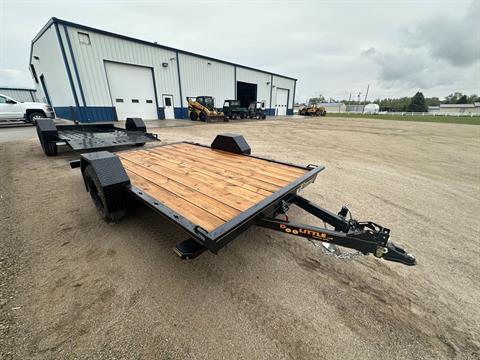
{"points": [[93, 75]]}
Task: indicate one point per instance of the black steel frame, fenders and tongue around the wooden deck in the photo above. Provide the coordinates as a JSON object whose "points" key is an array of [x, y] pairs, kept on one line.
{"points": [[366, 237]]}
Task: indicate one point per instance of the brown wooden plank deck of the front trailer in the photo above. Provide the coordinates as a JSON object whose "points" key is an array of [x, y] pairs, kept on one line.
{"points": [[206, 186]]}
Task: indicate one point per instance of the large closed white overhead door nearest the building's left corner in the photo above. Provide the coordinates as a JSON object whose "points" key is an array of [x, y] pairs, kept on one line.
{"points": [[132, 90]]}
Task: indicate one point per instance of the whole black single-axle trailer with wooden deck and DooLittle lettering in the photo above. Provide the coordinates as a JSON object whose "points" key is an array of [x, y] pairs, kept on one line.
{"points": [[215, 193]]}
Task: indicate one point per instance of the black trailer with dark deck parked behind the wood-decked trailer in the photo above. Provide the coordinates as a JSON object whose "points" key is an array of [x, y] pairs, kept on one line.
{"points": [[91, 136]]}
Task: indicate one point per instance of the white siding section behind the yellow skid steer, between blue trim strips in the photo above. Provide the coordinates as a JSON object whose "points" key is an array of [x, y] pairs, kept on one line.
{"points": [[199, 78]]}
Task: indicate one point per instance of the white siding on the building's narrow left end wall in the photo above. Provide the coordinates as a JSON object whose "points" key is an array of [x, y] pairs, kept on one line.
{"points": [[51, 65]]}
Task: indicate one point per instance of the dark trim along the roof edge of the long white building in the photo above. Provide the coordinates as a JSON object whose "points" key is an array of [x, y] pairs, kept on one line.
{"points": [[144, 42]]}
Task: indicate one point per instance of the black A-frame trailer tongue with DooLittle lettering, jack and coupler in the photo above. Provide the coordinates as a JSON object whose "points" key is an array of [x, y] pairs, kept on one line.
{"points": [[365, 237]]}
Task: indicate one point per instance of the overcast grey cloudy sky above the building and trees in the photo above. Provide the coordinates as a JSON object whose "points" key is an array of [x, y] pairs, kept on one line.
{"points": [[334, 48]]}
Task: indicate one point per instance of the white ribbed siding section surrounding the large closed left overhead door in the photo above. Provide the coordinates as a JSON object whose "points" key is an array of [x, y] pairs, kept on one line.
{"points": [[89, 59]]}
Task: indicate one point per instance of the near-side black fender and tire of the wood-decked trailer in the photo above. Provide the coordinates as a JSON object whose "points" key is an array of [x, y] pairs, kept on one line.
{"points": [[106, 181]]}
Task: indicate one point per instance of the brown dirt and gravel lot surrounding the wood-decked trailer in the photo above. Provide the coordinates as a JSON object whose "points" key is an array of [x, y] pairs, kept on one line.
{"points": [[74, 286]]}
